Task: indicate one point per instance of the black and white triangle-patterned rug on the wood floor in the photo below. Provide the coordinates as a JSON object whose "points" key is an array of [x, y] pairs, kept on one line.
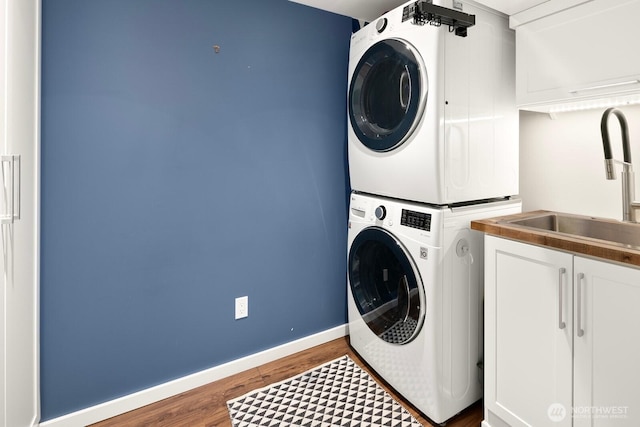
{"points": [[338, 393]]}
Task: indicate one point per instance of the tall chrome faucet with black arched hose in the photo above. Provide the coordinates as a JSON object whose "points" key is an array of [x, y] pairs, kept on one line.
{"points": [[629, 206]]}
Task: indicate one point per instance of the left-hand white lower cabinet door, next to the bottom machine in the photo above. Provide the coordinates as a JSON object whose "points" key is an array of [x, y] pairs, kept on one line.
{"points": [[528, 335]]}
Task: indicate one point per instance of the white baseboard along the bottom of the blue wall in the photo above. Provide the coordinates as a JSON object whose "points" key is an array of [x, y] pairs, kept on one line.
{"points": [[139, 399]]}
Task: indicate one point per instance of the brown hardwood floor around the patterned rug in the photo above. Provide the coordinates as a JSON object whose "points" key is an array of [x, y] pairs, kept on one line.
{"points": [[206, 406]]}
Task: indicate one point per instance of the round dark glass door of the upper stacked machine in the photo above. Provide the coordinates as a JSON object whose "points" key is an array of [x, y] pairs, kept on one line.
{"points": [[387, 94]]}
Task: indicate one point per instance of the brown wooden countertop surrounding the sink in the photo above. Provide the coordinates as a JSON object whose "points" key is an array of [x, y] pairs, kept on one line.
{"points": [[499, 226]]}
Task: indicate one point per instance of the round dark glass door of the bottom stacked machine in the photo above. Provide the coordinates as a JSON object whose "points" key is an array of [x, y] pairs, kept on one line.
{"points": [[386, 286]]}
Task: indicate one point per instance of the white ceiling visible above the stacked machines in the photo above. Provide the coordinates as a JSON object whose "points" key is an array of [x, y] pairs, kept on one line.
{"points": [[369, 10]]}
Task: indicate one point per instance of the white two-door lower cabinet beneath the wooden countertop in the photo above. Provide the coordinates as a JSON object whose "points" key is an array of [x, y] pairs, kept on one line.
{"points": [[562, 339]]}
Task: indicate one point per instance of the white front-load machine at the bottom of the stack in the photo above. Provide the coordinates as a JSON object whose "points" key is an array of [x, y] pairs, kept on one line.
{"points": [[415, 298]]}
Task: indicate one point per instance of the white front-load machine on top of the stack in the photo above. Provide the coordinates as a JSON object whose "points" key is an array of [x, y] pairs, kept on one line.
{"points": [[432, 115]]}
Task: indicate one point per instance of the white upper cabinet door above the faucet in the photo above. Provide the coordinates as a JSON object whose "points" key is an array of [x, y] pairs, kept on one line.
{"points": [[582, 53]]}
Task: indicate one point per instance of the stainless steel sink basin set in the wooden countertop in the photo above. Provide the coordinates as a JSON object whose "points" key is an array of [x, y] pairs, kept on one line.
{"points": [[621, 233]]}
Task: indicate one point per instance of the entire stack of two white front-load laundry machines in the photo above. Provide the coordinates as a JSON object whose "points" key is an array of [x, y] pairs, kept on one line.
{"points": [[432, 145]]}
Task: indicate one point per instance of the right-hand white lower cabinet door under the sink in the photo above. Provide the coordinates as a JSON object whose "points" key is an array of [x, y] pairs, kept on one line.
{"points": [[606, 344]]}
